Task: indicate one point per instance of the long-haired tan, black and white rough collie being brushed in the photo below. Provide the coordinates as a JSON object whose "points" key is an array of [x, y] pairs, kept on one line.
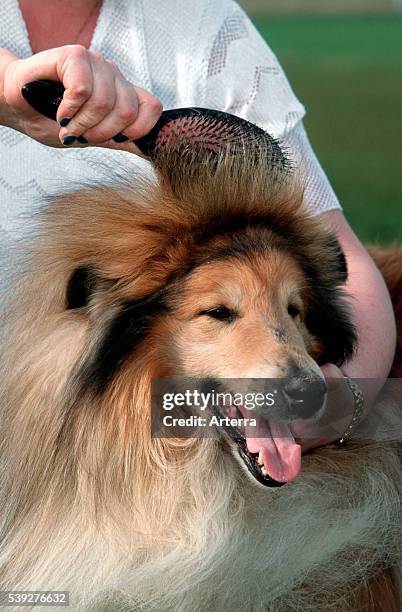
{"points": [[214, 271]]}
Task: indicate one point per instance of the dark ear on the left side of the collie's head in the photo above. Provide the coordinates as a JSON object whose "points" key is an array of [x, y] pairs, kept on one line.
{"points": [[83, 283]]}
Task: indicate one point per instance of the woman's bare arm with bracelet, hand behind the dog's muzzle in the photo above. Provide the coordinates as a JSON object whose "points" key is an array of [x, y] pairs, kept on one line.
{"points": [[373, 317]]}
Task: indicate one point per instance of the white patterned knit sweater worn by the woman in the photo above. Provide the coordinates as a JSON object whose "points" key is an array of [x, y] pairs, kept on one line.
{"points": [[186, 52]]}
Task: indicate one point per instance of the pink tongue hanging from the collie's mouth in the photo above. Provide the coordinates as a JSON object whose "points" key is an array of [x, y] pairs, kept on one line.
{"points": [[273, 439]]}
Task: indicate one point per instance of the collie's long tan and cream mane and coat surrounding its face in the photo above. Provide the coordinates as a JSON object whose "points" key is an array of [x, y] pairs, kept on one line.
{"points": [[89, 503]]}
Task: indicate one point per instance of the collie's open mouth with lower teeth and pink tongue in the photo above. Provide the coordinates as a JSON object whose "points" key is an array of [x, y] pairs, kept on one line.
{"points": [[267, 449]]}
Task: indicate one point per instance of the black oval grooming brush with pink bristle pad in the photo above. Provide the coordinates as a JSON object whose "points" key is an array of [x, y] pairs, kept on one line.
{"points": [[199, 128]]}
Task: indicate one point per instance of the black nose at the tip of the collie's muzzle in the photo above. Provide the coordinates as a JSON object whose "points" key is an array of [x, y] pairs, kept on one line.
{"points": [[305, 392]]}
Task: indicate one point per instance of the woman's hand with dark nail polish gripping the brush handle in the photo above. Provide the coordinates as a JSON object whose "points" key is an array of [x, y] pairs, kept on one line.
{"points": [[98, 104]]}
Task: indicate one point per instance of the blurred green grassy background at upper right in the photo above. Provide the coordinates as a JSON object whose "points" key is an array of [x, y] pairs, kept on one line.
{"points": [[344, 61]]}
